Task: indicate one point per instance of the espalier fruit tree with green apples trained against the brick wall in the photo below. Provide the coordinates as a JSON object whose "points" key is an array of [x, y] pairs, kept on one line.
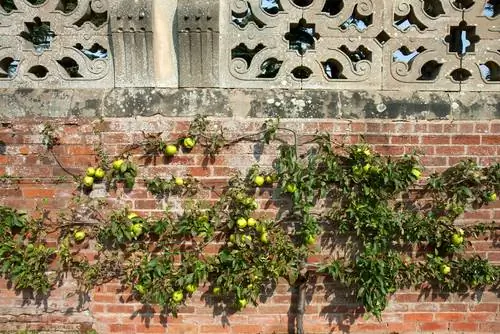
{"points": [[328, 192]]}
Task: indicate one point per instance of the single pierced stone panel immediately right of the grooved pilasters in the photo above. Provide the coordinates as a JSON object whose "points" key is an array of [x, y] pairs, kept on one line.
{"points": [[300, 44]]}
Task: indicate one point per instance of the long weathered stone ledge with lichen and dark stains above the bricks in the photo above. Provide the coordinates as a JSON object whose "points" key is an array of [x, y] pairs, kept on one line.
{"points": [[123, 102]]}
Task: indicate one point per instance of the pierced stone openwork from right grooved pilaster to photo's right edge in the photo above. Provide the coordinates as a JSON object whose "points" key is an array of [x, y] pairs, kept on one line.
{"points": [[447, 45]]}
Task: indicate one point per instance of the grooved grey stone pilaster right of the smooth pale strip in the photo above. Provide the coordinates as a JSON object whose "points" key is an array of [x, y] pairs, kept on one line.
{"points": [[198, 26]]}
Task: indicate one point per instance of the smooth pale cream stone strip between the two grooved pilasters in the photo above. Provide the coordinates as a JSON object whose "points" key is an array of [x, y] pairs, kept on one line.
{"points": [[164, 43]]}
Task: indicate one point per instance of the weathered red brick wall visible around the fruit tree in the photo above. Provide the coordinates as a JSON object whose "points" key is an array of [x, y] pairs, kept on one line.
{"points": [[42, 184]]}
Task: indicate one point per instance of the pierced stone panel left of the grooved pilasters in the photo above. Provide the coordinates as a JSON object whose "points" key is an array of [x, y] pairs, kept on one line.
{"points": [[55, 43]]}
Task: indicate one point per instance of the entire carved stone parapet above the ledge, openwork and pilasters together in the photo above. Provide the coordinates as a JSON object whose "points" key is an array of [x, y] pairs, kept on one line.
{"points": [[413, 45]]}
